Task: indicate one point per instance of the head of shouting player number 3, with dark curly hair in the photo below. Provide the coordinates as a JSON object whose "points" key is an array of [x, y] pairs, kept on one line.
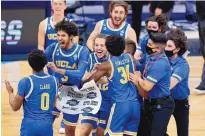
{"points": [[66, 30]]}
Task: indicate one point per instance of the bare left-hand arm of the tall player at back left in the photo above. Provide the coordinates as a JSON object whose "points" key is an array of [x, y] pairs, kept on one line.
{"points": [[41, 35]]}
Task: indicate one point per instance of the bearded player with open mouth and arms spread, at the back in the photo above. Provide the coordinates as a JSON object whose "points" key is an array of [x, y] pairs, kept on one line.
{"points": [[115, 25]]}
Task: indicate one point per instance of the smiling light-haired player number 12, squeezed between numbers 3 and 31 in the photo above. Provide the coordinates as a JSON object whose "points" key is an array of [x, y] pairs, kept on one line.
{"points": [[92, 121]]}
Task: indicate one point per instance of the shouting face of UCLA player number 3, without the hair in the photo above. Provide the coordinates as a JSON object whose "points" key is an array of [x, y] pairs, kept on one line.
{"points": [[63, 39]]}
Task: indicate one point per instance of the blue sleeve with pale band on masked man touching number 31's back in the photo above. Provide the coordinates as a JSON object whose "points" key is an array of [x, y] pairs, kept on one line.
{"points": [[157, 71]]}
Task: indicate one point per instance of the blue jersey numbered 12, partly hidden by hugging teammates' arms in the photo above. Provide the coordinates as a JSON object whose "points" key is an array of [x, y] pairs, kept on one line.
{"points": [[106, 98]]}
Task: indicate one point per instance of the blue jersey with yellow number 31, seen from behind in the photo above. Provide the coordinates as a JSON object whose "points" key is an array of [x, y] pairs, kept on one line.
{"points": [[121, 88]]}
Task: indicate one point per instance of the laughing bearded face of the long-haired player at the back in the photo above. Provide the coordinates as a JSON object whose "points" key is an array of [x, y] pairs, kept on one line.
{"points": [[118, 15]]}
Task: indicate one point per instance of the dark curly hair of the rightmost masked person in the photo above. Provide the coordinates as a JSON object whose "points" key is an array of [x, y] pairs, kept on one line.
{"points": [[179, 38]]}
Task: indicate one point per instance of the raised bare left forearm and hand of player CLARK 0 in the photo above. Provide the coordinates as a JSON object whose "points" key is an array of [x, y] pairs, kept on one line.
{"points": [[14, 101]]}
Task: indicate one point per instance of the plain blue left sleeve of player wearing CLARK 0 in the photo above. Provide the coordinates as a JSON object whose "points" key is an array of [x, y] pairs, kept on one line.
{"points": [[24, 86]]}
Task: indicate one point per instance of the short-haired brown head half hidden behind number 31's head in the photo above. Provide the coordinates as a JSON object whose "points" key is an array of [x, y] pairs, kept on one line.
{"points": [[130, 46]]}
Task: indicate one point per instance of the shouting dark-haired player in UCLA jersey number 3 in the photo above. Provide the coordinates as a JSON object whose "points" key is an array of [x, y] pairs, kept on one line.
{"points": [[69, 62]]}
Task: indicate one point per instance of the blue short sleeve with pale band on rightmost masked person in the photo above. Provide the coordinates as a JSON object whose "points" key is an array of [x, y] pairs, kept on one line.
{"points": [[180, 74]]}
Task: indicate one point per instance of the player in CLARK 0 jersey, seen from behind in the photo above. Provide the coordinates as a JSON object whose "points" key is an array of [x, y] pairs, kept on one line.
{"points": [[37, 93]]}
